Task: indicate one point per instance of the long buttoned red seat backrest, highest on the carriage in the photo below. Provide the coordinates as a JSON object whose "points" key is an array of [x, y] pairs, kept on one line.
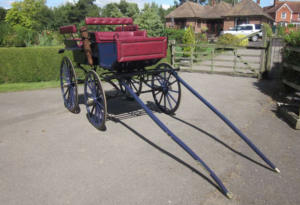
{"points": [[108, 21]]}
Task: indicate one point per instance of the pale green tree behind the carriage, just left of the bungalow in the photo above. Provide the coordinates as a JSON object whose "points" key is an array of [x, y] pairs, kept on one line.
{"points": [[150, 21]]}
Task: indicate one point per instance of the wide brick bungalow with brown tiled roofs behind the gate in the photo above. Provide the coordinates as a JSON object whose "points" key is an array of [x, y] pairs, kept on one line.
{"points": [[216, 17]]}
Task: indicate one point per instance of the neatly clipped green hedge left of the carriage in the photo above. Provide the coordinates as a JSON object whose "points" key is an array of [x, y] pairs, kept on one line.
{"points": [[30, 64]]}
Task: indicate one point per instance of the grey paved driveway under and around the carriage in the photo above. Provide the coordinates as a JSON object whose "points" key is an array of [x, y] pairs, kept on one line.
{"points": [[51, 156]]}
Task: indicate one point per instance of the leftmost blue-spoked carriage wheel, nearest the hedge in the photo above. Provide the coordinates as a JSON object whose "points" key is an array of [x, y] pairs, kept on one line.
{"points": [[68, 85]]}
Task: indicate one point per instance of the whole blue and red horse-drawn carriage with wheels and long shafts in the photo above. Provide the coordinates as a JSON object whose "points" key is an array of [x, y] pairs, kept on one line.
{"points": [[125, 54]]}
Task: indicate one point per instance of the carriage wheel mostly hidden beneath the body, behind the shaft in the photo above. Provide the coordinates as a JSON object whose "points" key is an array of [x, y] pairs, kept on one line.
{"points": [[134, 84]]}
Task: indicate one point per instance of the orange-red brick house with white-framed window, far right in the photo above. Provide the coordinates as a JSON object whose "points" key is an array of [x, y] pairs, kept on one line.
{"points": [[284, 12]]}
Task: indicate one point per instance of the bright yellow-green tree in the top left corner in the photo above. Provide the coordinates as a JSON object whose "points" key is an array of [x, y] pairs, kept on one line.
{"points": [[25, 13]]}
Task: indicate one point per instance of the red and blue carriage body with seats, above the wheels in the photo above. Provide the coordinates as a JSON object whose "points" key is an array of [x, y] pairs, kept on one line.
{"points": [[126, 48]]}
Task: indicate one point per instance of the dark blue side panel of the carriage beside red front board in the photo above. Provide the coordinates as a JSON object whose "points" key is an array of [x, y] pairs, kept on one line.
{"points": [[107, 54]]}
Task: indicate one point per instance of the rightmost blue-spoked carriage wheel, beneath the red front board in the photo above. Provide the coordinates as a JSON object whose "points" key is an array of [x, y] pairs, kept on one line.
{"points": [[166, 89]]}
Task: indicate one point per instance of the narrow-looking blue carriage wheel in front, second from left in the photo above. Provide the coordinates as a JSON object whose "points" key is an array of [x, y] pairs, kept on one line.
{"points": [[95, 100]]}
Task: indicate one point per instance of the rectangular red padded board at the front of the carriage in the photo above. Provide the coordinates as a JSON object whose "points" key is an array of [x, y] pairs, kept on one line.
{"points": [[136, 49]]}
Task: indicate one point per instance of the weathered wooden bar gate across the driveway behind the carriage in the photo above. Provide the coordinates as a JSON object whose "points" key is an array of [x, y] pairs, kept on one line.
{"points": [[209, 60]]}
